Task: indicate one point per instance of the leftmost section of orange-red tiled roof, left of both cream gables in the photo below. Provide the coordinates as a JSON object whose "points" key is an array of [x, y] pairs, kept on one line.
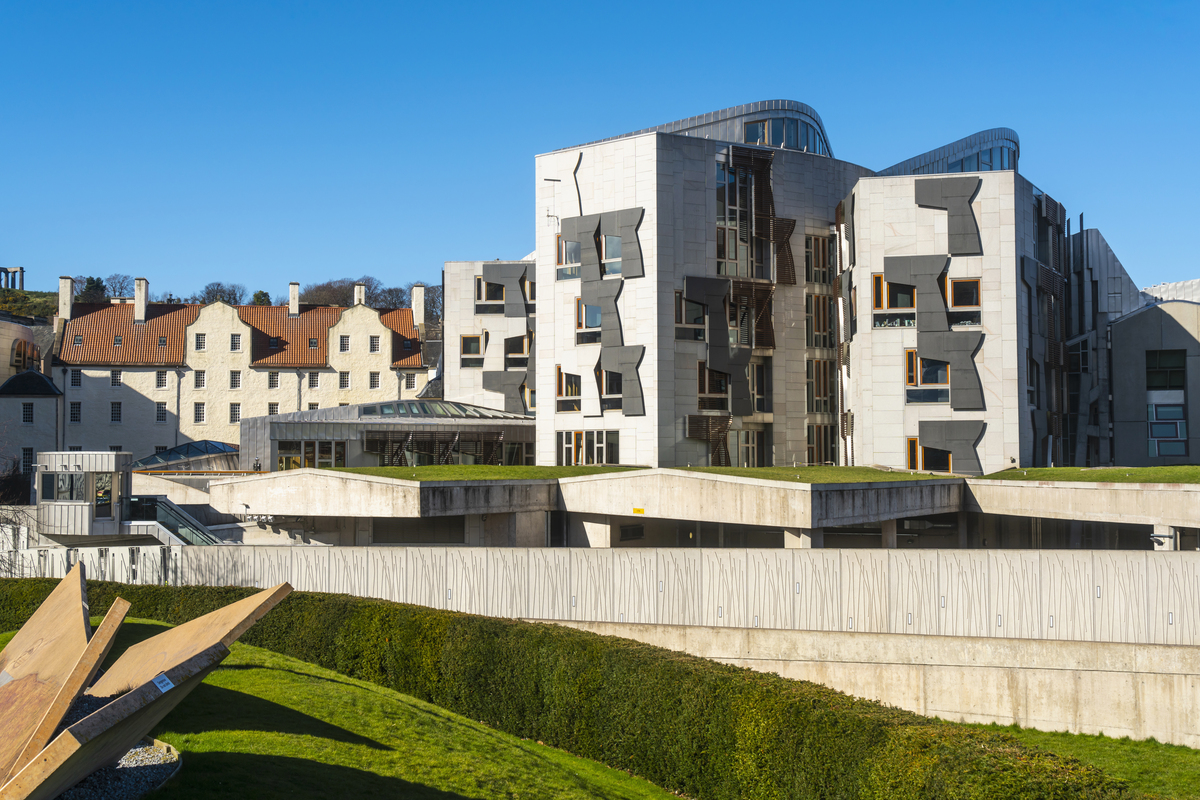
{"points": [[99, 324]]}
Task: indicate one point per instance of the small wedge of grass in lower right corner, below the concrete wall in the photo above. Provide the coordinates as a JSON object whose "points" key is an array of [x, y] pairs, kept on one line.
{"points": [[1167, 771]]}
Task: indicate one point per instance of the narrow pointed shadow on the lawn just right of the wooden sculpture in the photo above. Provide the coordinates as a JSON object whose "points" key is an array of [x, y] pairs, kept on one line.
{"points": [[214, 708]]}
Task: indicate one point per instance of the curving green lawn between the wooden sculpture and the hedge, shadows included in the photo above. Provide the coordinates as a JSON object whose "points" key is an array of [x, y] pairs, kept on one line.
{"points": [[267, 726]]}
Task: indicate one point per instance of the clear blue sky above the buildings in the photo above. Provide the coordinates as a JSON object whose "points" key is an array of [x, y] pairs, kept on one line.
{"points": [[263, 143]]}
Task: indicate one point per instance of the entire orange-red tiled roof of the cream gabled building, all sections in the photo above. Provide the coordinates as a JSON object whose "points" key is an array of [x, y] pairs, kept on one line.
{"points": [[99, 324]]}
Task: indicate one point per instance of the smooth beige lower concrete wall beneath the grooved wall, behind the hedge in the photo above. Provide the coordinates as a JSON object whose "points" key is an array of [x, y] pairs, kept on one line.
{"points": [[1119, 690]]}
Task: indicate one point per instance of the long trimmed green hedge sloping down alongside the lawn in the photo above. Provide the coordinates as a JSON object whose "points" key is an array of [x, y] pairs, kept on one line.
{"points": [[686, 724]]}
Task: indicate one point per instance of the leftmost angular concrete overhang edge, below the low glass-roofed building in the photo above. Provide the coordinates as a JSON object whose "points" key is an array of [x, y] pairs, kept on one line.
{"points": [[326, 494]]}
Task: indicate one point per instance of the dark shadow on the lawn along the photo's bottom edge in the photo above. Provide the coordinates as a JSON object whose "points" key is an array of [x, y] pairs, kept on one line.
{"points": [[245, 775]]}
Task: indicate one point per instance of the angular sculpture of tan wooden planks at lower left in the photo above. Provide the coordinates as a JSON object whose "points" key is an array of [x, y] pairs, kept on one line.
{"points": [[55, 658]]}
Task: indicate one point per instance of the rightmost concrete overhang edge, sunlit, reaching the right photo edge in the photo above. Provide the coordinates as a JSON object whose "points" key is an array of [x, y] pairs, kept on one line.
{"points": [[1144, 504]]}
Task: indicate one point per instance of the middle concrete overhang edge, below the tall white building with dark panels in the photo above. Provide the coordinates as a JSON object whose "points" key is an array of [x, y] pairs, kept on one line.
{"points": [[677, 495]]}
